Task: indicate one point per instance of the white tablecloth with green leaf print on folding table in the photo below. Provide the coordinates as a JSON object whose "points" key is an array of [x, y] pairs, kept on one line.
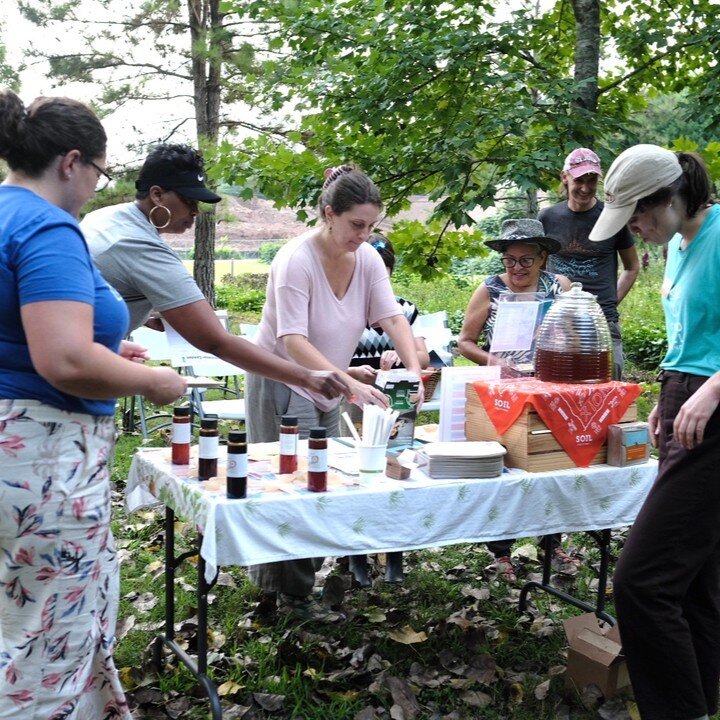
{"points": [[388, 515]]}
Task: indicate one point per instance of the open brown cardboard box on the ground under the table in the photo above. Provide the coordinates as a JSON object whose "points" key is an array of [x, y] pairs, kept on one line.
{"points": [[595, 656]]}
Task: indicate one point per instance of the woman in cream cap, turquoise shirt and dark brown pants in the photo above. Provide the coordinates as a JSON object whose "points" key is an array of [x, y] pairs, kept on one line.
{"points": [[667, 582]]}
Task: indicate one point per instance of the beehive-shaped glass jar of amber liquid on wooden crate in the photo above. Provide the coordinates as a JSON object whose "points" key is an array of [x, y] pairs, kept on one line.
{"points": [[574, 343]]}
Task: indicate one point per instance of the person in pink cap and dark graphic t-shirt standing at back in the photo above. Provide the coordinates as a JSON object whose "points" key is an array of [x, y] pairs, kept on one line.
{"points": [[595, 265]]}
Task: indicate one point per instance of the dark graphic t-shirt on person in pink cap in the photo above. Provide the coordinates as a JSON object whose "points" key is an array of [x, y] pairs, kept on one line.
{"points": [[594, 264]]}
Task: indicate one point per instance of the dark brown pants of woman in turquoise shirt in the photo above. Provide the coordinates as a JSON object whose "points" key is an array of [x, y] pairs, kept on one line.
{"points": [[667, 582]]}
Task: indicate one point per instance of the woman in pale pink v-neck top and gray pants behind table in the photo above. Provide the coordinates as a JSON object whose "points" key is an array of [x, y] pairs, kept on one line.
{"points": [[323, 289]]}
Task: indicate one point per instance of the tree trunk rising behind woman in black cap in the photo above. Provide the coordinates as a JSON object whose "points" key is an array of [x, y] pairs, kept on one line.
{"points": [[206, 33]]}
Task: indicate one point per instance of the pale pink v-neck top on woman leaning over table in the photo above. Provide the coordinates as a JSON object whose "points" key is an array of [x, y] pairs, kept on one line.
{"points": [[300, 301]]}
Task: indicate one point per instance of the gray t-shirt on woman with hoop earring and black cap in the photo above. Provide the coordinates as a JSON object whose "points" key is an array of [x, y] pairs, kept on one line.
{"points": [[133, 258]]}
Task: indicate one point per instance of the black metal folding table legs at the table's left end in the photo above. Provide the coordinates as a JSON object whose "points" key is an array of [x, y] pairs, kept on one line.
{"points": [[199, 669]]}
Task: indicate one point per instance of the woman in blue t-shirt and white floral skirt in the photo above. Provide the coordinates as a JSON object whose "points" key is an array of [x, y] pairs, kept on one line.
{"points": [[62, 363]]}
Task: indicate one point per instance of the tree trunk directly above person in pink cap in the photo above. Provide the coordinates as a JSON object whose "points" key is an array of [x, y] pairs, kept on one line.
{"points": [[587, 61]]}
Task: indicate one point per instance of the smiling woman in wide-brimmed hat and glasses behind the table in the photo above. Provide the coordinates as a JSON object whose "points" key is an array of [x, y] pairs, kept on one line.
{"points": [[524, 248]]}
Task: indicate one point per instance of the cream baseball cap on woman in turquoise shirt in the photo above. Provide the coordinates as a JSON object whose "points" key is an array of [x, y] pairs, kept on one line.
{"points": [[636, 173]]}
